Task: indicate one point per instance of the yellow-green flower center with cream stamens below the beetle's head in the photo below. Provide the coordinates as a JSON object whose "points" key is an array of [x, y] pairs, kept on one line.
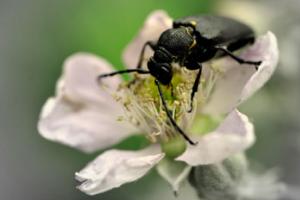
{"points": [[144, 109]]}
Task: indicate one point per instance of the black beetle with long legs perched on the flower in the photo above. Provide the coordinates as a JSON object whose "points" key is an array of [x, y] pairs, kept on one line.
{"points": [[190, 42]]}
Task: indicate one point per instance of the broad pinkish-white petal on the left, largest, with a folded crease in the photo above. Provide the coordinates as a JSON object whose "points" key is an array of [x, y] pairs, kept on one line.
{"points": [[82, 114]]}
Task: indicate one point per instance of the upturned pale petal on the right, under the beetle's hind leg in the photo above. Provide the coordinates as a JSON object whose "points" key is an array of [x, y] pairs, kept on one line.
{"points": [[238, 82]]}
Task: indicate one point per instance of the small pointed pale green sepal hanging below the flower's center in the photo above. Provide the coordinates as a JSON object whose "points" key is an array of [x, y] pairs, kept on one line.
{"points": [[174, 172]]}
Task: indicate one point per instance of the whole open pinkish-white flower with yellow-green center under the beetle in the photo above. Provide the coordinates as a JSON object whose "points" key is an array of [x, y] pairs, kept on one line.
{"points": [[90, 117]]}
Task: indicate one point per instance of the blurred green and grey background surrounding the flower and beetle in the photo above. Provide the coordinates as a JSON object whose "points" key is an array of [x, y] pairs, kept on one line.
{"points": [[36, 37]]}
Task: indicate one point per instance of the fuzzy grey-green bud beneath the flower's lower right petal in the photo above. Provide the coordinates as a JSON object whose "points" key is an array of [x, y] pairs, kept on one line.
{"points": [[218, 181]]}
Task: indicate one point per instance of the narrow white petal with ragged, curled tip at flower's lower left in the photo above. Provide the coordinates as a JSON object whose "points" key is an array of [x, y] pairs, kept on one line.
{"points": [[115, 167]]}
